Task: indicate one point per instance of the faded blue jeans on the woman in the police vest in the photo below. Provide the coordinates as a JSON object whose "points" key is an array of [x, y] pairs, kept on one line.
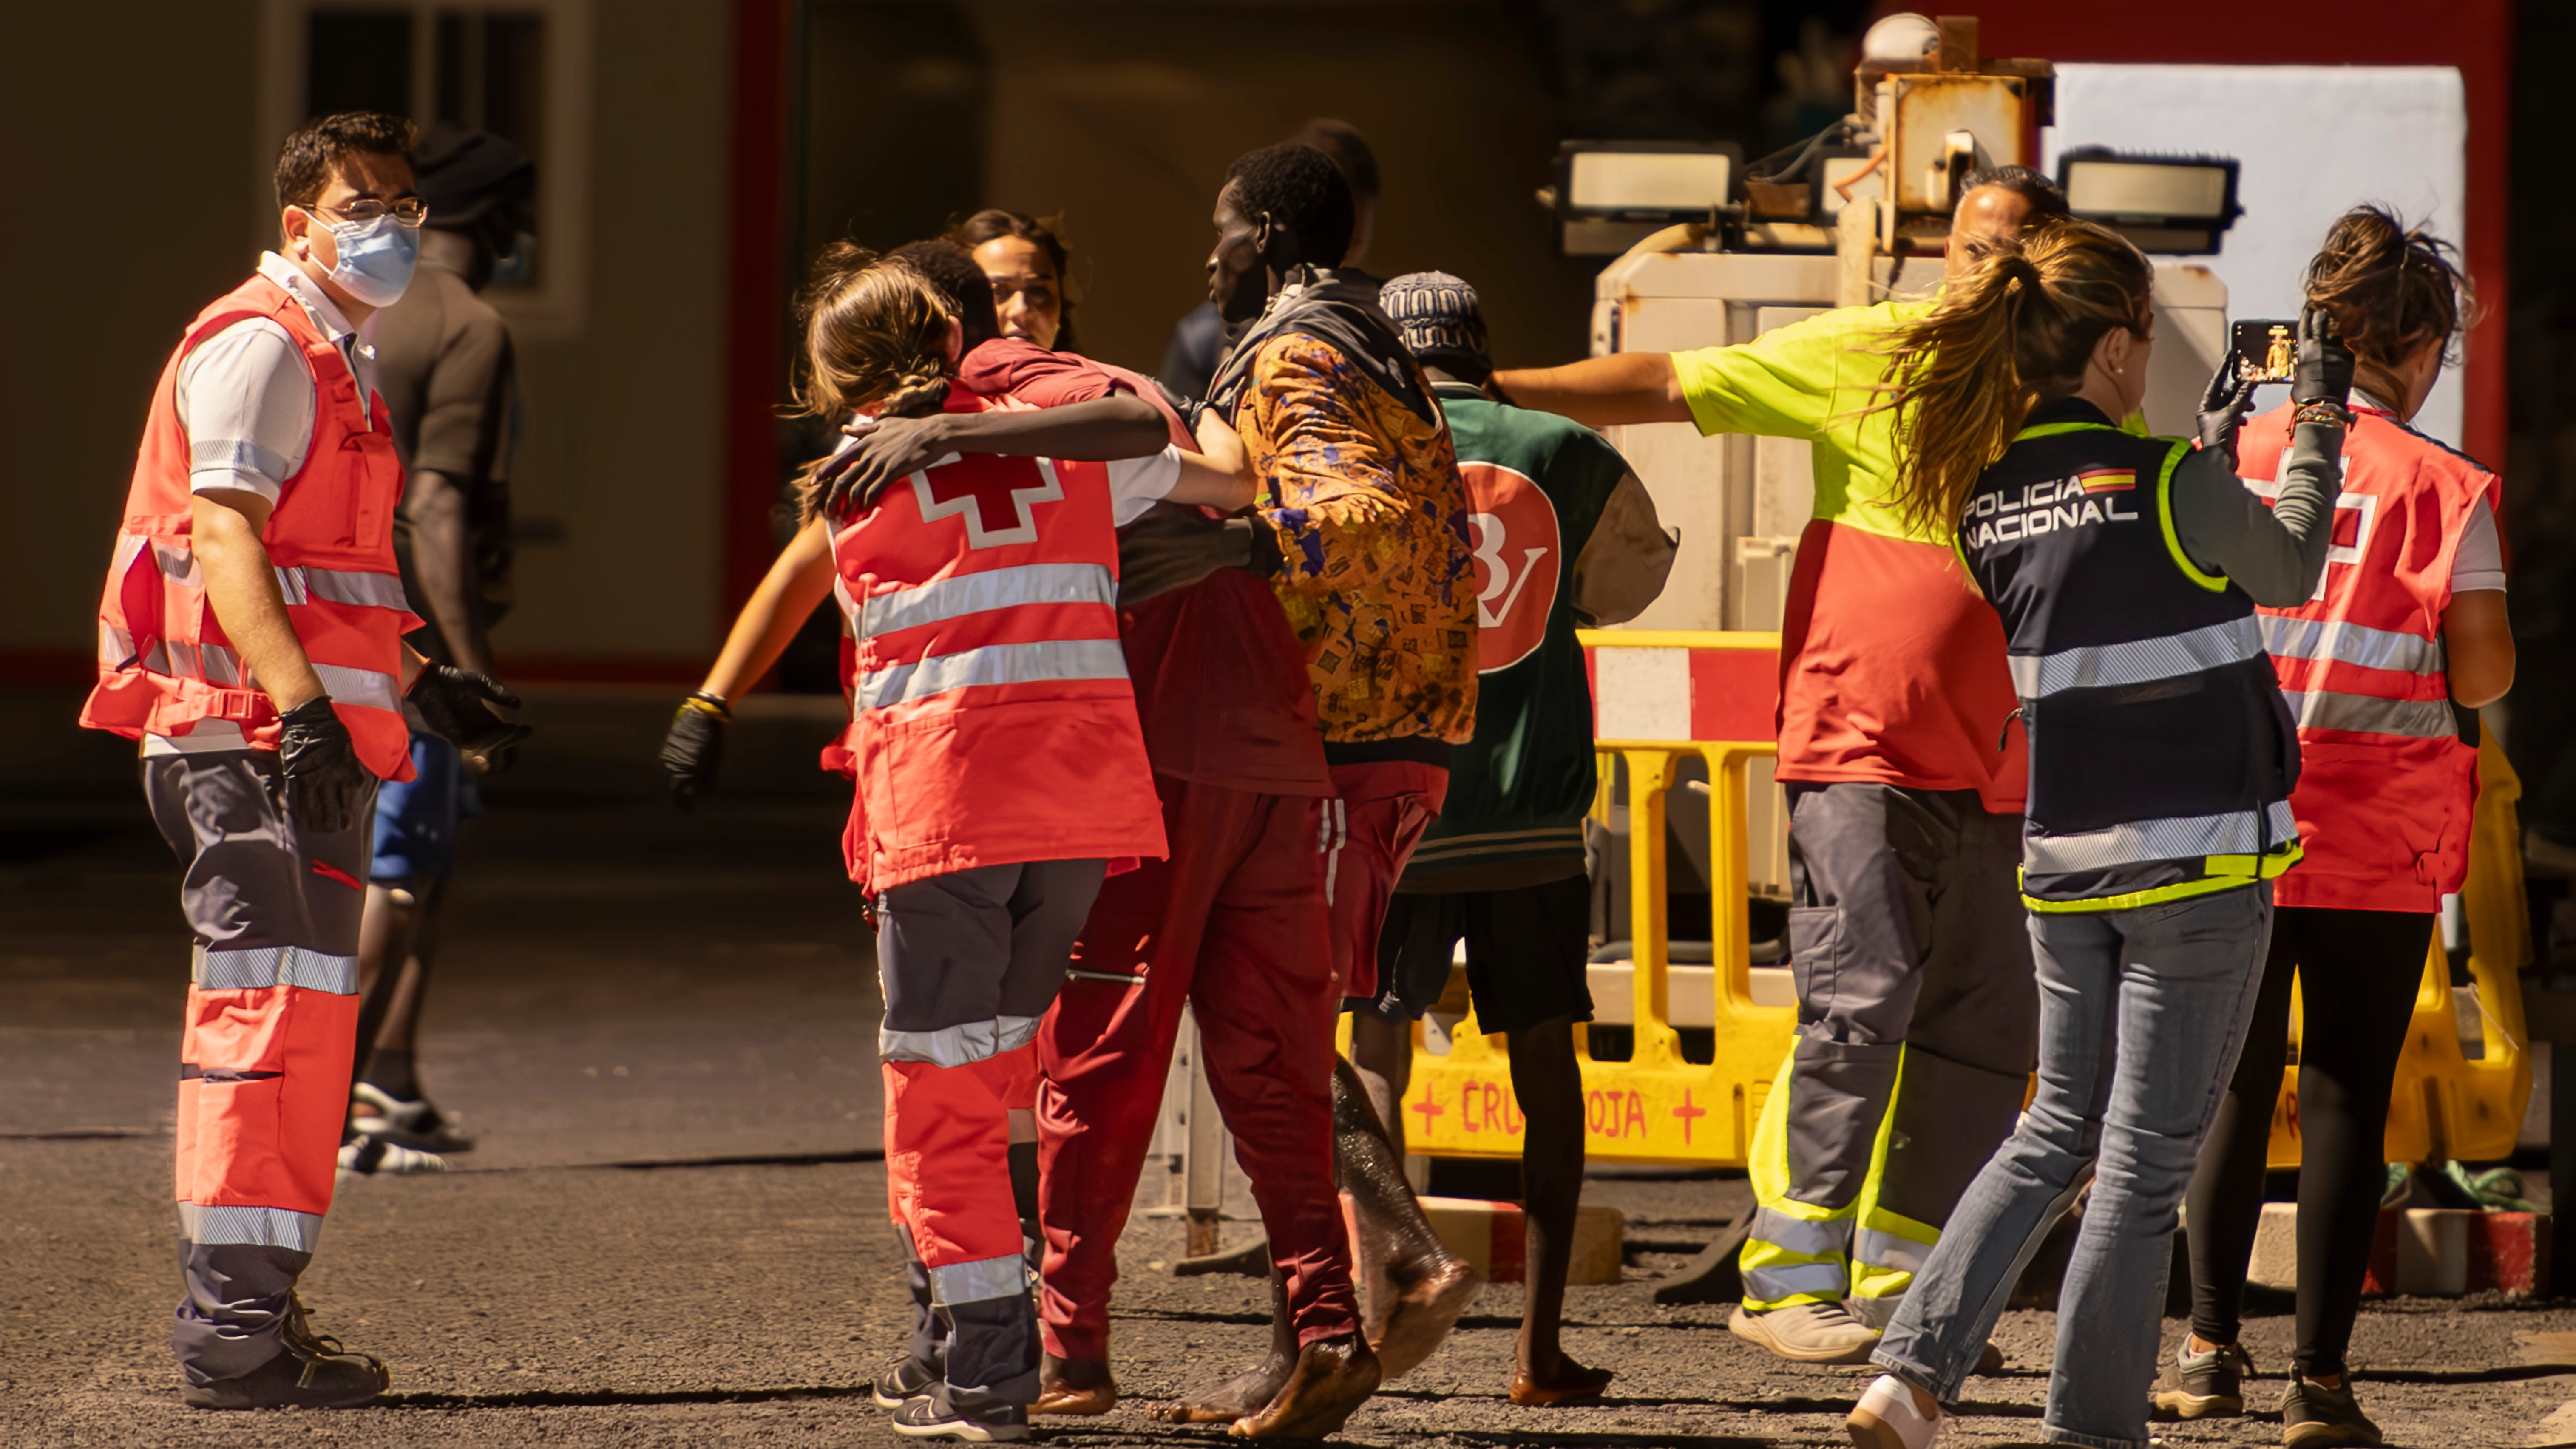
{"points": [[2142, 1018]]}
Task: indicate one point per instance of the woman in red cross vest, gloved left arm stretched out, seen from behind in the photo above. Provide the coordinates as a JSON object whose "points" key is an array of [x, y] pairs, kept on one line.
{"points": [[998, 763]]}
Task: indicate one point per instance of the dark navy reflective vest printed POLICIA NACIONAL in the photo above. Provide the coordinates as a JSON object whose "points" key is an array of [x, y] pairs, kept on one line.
{"points": [[2160, 748]]}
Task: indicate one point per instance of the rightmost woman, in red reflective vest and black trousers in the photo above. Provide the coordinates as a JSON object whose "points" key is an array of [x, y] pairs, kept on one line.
{"points": [[2387, 668]]}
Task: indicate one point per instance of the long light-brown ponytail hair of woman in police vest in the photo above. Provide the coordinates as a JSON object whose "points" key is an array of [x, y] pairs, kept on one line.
{"points": [[2008, 336]]}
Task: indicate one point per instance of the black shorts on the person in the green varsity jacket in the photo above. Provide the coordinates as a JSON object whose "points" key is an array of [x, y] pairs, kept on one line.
{"points": [[1526, 954]]}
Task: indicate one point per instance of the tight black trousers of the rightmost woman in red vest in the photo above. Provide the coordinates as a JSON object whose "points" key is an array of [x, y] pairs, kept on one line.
{"points": [[2363, 972]]}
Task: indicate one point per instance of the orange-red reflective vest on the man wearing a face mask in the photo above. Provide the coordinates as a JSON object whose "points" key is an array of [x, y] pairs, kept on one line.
{"points": [[164, 660]]}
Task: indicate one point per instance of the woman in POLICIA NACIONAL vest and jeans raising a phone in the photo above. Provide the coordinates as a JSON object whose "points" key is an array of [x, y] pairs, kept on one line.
{"points": [[2126, 575]]}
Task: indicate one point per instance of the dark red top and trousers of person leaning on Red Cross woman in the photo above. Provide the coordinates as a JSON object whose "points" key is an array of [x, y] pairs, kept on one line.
{"points": [[1235, 923]]}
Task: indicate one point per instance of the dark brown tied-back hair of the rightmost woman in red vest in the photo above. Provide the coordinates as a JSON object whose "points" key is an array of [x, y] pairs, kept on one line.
{"points": [[2392, 290]]}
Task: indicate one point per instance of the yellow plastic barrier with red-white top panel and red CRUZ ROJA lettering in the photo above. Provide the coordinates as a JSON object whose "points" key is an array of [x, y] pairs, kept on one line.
{"points": [[1653, 1108]]}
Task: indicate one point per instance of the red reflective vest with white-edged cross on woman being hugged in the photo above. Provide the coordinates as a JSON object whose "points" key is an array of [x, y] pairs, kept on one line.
{"points": [[990, 706]]}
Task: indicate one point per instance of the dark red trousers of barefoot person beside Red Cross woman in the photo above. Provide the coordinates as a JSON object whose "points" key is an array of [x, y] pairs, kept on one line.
{"points": [[1235, 923]]}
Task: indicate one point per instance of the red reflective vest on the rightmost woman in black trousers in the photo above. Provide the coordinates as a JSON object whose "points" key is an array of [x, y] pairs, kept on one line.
{"points": [[2387, 794]]}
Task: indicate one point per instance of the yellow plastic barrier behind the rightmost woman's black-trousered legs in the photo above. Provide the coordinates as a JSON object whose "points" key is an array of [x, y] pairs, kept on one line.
{"points": [[2446, 1103]]}
